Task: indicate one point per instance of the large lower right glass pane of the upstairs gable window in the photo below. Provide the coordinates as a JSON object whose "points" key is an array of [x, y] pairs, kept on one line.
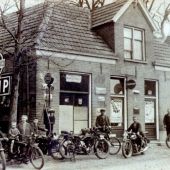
{"points": [[137, 50]]}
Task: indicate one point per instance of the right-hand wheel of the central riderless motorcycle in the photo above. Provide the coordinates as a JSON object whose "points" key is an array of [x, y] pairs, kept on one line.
{"points": [[102, 148]]}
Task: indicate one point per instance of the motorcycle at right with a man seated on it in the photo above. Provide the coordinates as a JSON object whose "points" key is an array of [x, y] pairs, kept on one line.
{"points": [[131, 146]]}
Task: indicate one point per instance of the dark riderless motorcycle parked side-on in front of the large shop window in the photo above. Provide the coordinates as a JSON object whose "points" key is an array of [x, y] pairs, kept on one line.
{"points": [[89, 140]]}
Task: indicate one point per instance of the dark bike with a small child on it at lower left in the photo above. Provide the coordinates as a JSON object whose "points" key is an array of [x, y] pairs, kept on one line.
{"points": [[24, 151]]}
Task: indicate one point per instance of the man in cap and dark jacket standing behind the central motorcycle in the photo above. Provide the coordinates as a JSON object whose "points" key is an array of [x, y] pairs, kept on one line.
{"points": [[102, 121]]}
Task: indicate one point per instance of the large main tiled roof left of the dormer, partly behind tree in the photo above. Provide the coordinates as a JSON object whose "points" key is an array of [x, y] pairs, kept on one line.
{"points": [[58, 27]]}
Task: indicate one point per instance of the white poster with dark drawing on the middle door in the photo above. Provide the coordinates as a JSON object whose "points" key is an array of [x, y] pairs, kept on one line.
{"points": [[116, 110]]}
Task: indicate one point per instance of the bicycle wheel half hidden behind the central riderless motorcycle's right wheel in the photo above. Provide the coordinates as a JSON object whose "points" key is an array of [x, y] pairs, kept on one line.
{"points": [[115, 145]]}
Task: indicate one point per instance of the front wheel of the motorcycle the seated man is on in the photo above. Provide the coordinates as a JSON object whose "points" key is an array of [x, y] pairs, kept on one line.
{"points": [[127, 149]]}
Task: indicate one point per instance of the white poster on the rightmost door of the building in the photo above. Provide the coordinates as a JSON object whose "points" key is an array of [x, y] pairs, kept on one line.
{"points": [[149, 112]]}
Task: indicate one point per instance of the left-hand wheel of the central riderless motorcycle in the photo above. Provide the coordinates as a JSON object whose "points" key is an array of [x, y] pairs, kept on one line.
{"points": [[67, 149]]}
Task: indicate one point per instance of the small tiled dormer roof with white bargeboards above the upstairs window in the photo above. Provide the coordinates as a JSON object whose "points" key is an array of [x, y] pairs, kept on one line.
{"points": [[112, 12]]}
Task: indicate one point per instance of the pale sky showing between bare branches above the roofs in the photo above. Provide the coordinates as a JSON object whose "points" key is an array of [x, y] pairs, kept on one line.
{"points": [[158, 8]]}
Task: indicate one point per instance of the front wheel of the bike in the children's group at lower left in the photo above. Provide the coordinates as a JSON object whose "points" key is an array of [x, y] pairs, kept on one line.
{"points": [[36, 158]]}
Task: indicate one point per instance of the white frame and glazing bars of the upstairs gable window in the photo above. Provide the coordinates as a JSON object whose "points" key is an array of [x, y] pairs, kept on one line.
{"points": [[133, 40]]}
